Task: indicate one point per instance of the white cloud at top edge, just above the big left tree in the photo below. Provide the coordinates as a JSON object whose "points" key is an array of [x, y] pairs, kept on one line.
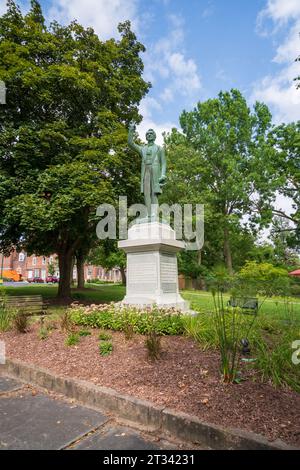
{"points": [[102, 15]]}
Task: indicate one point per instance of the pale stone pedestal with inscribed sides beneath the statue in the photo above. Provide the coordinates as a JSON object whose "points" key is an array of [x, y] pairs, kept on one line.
{"points": [[152, 274]]}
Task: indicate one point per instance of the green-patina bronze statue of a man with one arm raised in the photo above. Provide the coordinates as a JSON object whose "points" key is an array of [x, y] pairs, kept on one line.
{"points": [[153, 173]]}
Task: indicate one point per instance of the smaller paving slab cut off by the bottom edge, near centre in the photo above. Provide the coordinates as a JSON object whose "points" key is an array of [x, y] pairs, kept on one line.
{"points": [[116, 438]]}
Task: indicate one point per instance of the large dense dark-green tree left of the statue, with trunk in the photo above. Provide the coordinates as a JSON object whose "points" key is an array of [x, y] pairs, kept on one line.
{"points": [[62, 135]]}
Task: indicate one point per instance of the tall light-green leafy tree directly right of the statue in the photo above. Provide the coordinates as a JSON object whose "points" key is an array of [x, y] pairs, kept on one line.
{"points": [[223, 156]]}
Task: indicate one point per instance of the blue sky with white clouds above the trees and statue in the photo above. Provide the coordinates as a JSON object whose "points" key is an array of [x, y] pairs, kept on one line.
{"points": [[196, 48]]}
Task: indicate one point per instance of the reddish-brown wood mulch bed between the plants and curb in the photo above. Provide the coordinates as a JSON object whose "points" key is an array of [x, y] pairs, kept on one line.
{"points": [[185, 379]]}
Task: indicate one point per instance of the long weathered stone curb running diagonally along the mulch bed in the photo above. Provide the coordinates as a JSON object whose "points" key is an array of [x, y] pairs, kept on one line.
{"points": [[168, 422]]}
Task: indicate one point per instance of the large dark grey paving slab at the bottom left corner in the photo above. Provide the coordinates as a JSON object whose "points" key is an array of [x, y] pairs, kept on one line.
{"points": [[41, 422]]}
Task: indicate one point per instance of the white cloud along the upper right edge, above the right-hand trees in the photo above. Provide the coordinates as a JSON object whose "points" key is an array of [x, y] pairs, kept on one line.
{"points": [[279, 91]]}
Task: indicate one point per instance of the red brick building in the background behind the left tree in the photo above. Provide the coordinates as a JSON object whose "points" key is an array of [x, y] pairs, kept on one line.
{"points": [[38, 266]]}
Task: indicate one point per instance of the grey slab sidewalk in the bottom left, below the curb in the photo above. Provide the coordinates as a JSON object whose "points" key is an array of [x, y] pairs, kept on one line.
{"points": [[30, 419]]}
